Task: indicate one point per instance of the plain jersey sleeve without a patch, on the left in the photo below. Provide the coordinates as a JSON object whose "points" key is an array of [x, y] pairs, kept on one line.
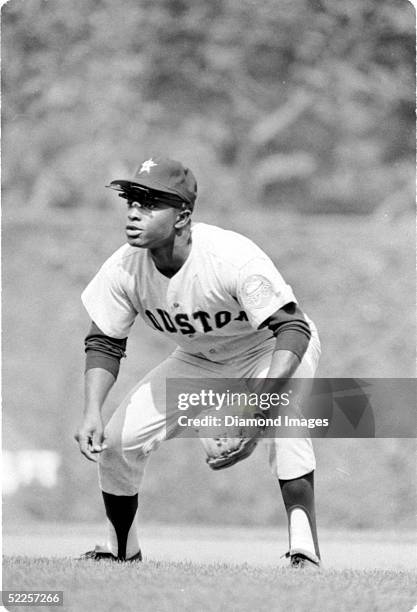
{"points": [[108, 304]]}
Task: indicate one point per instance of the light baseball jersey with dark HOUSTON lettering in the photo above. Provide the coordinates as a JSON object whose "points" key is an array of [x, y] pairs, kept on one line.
{"points": [[212, 307]]}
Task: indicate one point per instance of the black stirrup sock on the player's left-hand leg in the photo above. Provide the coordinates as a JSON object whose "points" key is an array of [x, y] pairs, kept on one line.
{"points": [[121, 510]]}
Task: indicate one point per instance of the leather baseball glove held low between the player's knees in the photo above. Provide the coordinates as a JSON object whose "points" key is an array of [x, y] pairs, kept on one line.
{"points": [[234, 444]]}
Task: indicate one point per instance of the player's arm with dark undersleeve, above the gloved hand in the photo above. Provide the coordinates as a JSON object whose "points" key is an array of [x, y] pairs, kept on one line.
{"points": [[292, 333]]}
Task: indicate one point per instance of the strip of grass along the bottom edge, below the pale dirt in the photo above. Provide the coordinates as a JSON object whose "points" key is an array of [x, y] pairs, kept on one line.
{"points": [[159, 585]]}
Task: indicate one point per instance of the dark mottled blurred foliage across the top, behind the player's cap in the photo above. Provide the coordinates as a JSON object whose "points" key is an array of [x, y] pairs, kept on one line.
{"points": [[306, 104]]}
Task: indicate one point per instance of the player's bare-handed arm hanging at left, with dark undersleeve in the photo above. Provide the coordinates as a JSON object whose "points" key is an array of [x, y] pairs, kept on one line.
{"points": [[103, 355]]}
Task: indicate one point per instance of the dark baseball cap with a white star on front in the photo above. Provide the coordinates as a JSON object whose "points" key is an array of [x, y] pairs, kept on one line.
{"points": [[165, 175]]}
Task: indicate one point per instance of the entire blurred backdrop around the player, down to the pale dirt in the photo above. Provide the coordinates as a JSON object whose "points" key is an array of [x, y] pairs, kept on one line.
{"points": [[297, 118]]}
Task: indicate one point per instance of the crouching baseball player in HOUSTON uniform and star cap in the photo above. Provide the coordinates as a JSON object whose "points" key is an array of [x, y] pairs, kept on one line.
{"points": [[220, 298]]}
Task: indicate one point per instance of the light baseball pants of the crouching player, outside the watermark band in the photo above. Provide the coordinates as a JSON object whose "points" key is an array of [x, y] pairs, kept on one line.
{"points": [[143, 420]]}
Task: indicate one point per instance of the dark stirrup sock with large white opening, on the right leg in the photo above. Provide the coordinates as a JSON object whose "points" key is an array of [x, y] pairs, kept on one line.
{"points": [[298, 493]]}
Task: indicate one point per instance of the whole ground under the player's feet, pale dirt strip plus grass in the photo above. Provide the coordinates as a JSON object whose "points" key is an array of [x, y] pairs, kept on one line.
{"points": [[210, 569]]}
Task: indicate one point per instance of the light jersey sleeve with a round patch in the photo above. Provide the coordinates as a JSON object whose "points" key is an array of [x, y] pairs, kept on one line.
{"points": [[261, 290]]}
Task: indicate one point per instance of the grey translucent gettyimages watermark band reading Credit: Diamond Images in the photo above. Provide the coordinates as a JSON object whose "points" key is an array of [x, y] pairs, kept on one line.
{"points": [[321, 407]]}
